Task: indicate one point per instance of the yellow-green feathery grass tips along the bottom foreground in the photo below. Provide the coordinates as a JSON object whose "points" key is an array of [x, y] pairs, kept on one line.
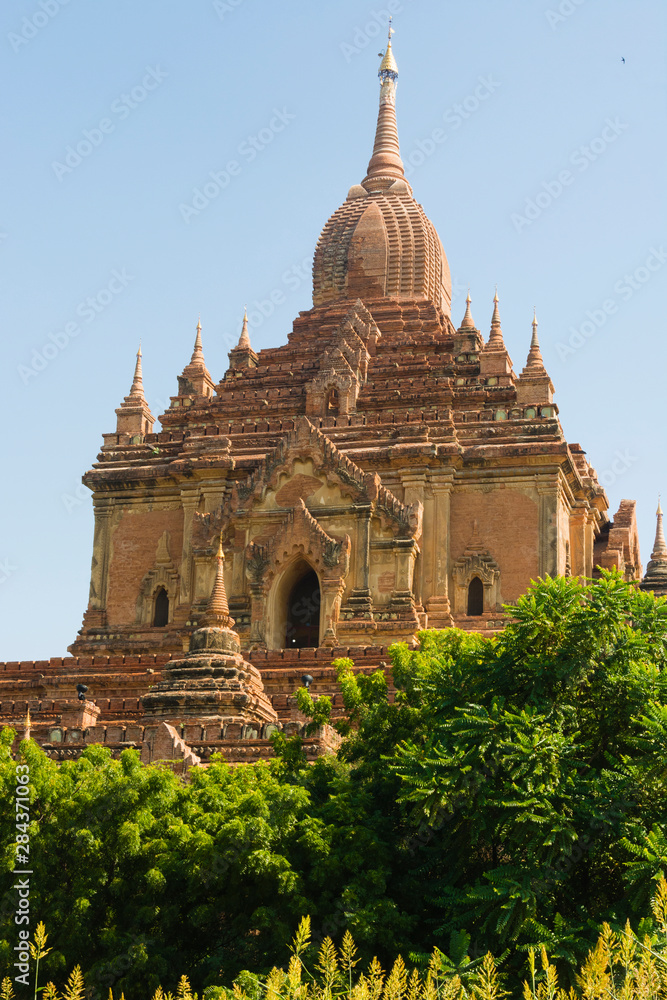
{"points": [[619, 967]]}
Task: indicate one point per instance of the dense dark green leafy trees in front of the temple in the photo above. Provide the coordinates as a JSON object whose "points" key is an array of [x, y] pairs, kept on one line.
{"points": [[513, 795]]}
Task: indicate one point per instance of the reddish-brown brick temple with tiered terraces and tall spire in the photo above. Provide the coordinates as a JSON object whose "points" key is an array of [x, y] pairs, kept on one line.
{"points": [[385, 471]]}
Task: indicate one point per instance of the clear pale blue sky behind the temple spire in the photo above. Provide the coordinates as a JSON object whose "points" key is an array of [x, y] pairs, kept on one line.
{"points": [[170, 92]]}
